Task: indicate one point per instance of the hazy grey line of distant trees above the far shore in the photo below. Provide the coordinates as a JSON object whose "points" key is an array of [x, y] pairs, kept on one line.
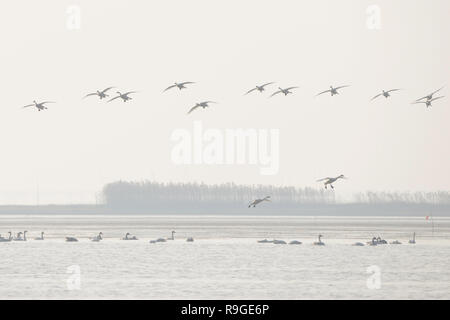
{"points": [[148, 194]]}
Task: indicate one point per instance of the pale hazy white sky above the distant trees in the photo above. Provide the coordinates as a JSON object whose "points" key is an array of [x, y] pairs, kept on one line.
{"points": [[76, 146]]}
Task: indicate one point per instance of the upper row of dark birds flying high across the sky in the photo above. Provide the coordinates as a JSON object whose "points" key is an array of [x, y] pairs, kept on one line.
{"points": [[427, 100]]}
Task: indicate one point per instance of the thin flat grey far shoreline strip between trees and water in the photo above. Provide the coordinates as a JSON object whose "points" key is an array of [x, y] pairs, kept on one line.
{"points": [[221, 209]]}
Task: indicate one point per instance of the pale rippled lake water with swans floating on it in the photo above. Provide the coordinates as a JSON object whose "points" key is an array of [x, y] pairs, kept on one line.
{"points": [[225, 261]]}
